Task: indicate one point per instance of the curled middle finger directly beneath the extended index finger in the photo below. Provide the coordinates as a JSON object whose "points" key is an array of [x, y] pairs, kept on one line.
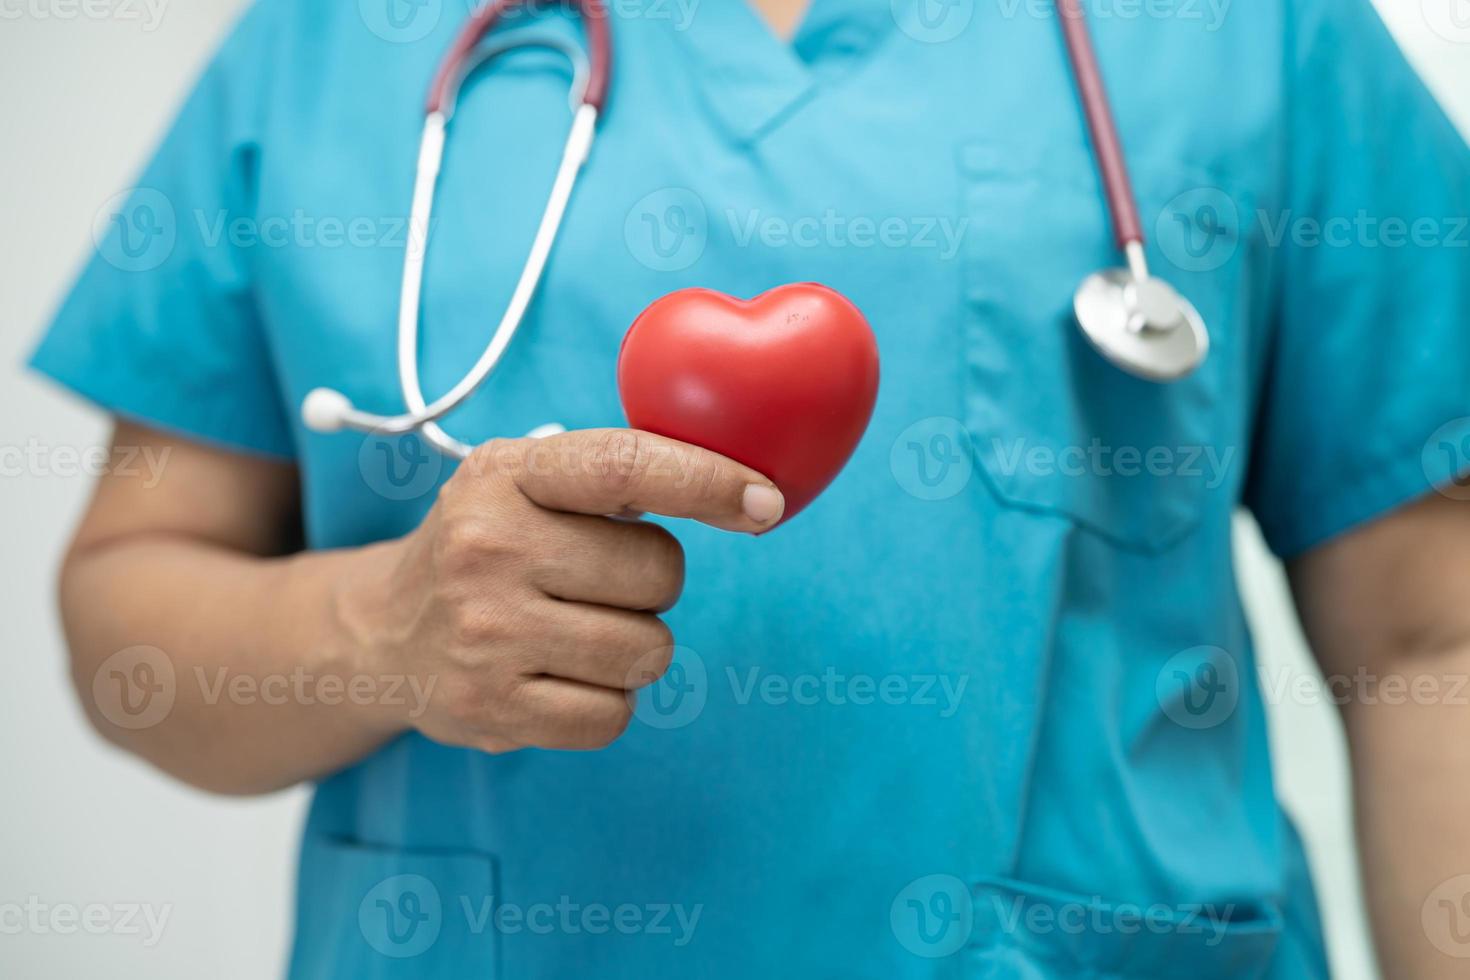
{"points": [[624, 563]]}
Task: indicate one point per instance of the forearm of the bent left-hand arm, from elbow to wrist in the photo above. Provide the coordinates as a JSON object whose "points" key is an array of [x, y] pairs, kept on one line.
{"points": [[270, 680]]}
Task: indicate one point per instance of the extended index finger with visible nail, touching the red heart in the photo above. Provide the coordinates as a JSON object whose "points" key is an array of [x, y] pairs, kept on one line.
{"points": [[615, 471]]}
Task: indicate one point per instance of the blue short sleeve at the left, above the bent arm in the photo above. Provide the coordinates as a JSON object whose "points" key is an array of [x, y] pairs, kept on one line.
{"points": [[162, 325]]}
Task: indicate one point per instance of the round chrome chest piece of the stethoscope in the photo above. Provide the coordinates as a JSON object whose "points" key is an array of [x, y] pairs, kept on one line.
{"points": [[1141, 325]]}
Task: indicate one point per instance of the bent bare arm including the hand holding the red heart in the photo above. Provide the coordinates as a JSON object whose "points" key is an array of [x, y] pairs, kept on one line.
{"points": [[514, 616]]}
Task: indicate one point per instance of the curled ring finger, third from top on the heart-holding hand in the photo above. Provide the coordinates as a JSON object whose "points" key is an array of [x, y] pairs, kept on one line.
{"points": [[602, 646]]}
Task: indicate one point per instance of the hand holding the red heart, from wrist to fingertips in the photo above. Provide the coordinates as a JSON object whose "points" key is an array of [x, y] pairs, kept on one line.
{"points": [[533, 612]]}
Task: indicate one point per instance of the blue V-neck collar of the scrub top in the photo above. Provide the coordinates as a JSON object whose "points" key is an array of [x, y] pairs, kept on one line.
{"points": [[752, 79]]}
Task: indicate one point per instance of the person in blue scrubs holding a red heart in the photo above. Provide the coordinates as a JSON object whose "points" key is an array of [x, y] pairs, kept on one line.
{"points": [[989, 706]]}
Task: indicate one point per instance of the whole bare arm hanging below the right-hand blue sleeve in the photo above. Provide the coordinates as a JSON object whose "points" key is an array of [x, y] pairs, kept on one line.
{"points": [[1393, 600]]}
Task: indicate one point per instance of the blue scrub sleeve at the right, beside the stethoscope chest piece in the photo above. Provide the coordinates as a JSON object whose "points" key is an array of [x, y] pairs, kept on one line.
{"points": [[1368, 383]]}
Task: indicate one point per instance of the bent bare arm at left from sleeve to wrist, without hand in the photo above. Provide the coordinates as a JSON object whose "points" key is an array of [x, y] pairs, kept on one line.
{"points": [[198, 568]]}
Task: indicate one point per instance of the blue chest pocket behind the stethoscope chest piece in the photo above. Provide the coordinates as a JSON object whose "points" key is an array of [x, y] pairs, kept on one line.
{"points": [[1055, 427]]}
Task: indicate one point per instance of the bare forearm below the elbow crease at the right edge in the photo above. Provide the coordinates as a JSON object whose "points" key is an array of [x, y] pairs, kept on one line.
{"points": [[1410, 741]]}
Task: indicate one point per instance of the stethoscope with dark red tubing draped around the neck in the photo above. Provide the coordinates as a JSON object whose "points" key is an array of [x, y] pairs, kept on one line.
{"points": [[1134, 320]]}
